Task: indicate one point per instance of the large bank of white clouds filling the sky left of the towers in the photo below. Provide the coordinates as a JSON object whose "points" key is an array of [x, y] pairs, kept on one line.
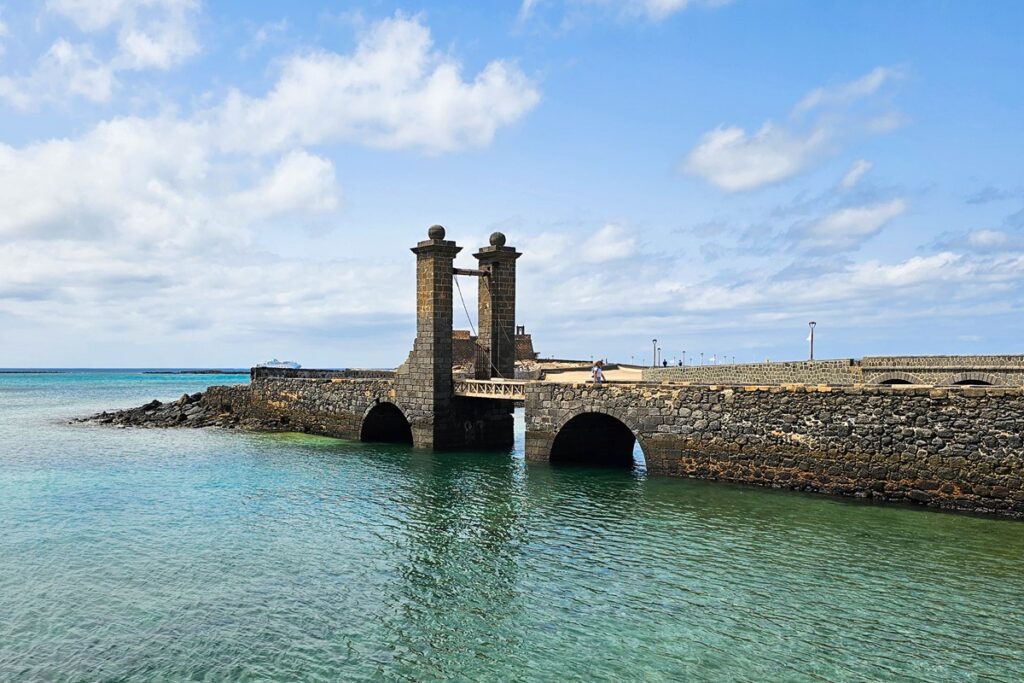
{"points": [[146, 227]]}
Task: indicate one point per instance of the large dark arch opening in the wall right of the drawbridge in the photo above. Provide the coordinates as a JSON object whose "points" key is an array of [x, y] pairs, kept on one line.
{"points": [[598, 440]]}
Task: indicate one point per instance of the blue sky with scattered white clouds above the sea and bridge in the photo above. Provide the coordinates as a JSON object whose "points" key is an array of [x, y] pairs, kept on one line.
{"points": [[216, 184]]}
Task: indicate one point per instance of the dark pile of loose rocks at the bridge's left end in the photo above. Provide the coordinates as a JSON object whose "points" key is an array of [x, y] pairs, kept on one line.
{"points": [[227, 407]]}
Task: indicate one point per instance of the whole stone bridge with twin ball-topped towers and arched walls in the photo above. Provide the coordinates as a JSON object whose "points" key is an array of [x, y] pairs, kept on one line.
{"points": [[857, 431]]}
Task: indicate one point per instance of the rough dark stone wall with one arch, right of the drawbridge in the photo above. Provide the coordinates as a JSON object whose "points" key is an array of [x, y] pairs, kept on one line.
{"points": [[958, 448]]}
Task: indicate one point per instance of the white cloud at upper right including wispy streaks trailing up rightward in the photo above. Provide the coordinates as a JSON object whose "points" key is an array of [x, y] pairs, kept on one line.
{"points": [[734, 160]]}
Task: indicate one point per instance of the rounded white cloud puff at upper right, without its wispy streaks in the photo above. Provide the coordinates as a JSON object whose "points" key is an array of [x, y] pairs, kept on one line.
{"points": [[734, 160]]}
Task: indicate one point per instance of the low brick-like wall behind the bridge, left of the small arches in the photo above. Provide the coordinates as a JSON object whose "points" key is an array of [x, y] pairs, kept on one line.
{"points": [[838, 373]]}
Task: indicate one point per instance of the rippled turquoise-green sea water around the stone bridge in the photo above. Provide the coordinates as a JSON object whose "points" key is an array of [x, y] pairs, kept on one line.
{"points": [[167, 556]]}
